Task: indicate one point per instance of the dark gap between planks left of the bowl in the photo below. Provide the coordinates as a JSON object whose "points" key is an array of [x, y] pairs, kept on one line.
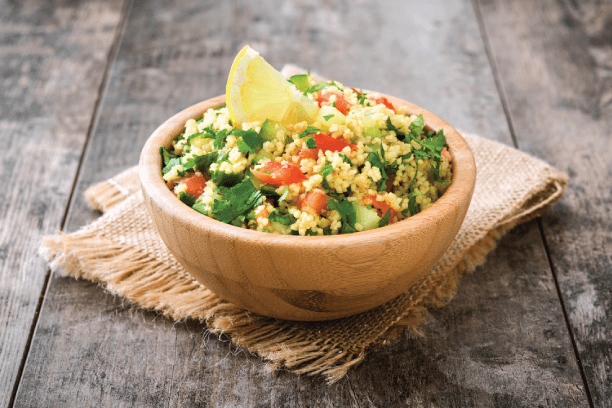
{"points": [[112, 56]]}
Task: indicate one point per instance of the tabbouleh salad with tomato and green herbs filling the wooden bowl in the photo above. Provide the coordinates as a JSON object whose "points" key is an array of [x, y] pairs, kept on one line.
{"points": [[362, 164]]}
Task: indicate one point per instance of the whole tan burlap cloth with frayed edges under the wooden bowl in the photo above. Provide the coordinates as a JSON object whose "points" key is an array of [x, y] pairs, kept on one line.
{"points": [[123, 252]]}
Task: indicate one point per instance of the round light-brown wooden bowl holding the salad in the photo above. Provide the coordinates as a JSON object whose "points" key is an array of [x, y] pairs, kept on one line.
{"points": [[306, 278]]}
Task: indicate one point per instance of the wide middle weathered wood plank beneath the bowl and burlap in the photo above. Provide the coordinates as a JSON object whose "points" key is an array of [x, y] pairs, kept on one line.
{"points": [[430, 54]]}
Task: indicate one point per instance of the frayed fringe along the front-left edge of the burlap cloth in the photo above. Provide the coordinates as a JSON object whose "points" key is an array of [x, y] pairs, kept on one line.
{"points": [[149, 283]]}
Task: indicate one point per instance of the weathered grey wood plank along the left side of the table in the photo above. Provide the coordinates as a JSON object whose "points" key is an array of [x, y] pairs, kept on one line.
{"points": [[52, 61]]}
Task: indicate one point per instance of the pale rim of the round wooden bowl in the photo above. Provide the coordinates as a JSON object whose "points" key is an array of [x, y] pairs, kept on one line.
{"points": [[464, 176]]}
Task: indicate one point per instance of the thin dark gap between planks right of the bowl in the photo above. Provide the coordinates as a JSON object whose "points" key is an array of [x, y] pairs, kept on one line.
{"points": [[506, 108]]}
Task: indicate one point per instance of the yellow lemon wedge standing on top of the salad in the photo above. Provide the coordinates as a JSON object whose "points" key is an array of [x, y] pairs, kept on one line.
{"points": [[256, 91]]}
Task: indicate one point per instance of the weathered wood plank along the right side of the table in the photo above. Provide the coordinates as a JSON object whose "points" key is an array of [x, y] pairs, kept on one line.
{"points": [[554, 60]]}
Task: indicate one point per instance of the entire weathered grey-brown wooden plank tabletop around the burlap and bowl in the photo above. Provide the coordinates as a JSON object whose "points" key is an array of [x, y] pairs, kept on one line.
{"points": [[84, 83]]}
